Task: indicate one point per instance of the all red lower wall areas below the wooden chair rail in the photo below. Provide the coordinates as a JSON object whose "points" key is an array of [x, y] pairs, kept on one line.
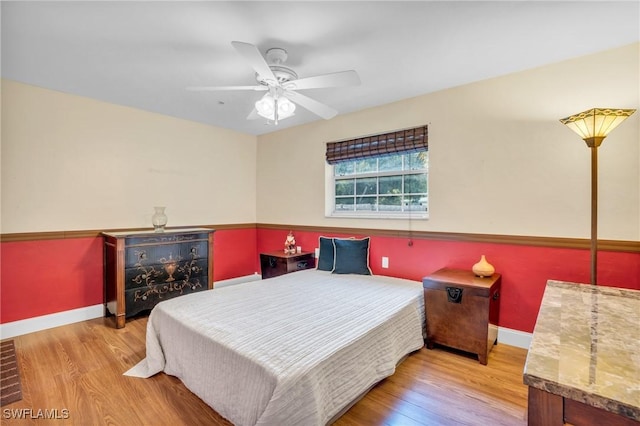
{"points": [[49, 276]]}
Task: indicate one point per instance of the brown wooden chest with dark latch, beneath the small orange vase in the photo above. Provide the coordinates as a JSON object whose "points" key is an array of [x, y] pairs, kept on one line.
{"points": [[462, 310]]}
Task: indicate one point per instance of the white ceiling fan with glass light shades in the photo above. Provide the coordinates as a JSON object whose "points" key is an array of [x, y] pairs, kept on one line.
{"points": [[281, 84]]}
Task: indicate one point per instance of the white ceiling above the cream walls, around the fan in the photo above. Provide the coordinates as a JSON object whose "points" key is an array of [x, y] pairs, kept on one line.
{"points": [[144, 54]]}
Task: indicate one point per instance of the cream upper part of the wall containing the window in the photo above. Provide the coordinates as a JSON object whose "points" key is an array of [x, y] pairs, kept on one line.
{"points": [[500, 161]]}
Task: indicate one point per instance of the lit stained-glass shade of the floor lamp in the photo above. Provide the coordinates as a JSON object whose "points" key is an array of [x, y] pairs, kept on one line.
{"points": [[594, 124]]}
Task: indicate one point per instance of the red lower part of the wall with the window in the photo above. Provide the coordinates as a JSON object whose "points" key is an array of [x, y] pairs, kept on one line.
{"points": [[525, 269]]}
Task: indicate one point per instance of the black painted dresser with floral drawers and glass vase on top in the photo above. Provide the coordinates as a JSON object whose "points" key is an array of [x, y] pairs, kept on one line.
{"points": [[144, 268]]}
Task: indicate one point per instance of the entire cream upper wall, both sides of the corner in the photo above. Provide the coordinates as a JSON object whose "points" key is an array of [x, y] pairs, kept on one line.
{"points": [[500, 160]]}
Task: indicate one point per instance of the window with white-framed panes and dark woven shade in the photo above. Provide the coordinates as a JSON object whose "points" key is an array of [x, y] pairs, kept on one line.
{"points": [[392, 184]]}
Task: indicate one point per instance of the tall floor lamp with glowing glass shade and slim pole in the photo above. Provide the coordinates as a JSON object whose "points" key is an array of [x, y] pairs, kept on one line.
{"points": [[593, 125]]}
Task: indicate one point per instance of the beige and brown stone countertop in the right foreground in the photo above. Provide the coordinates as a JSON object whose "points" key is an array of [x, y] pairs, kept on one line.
{"points": [[586, 346]]}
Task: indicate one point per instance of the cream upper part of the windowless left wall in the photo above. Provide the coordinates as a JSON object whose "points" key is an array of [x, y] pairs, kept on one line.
{"points": [[72, 163]]}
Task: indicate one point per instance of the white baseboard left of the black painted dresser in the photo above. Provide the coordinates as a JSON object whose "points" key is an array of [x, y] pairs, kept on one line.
{"points": [[44, 322]]}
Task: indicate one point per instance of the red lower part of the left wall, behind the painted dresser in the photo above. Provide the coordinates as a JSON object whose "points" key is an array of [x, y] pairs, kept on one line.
{"points": [[49, 276]]}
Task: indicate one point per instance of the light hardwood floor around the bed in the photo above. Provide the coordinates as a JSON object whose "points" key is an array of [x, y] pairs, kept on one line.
{"points": [[79, 368]]}
